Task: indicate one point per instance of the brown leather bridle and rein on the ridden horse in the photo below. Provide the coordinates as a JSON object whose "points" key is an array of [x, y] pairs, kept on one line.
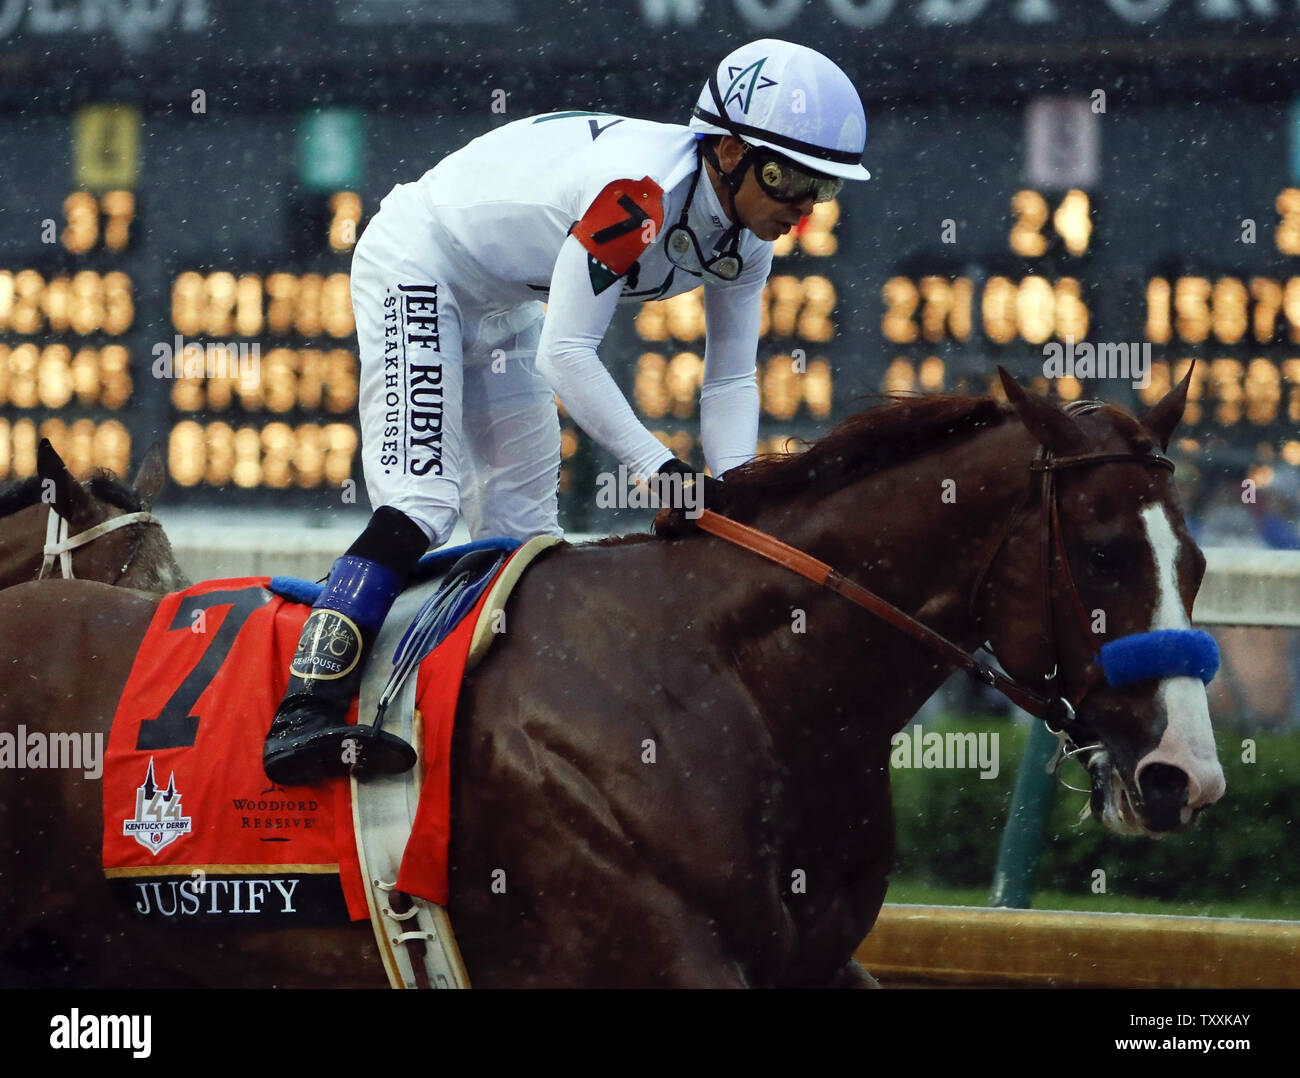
{"points": [[1052, 704]]}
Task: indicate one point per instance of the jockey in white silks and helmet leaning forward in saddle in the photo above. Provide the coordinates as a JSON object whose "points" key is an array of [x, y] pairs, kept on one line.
{"points": [[460, 371]]}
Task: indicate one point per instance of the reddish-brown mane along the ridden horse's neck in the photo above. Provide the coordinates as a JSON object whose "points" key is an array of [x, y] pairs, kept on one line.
{"points": [[896, 431]]}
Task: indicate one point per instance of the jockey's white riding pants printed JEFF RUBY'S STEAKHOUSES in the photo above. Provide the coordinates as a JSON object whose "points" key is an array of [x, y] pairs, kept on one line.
{"points": [[456, 418]]}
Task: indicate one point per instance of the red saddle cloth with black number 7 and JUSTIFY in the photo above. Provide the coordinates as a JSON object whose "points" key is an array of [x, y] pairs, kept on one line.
{"points": [[193, 826]]}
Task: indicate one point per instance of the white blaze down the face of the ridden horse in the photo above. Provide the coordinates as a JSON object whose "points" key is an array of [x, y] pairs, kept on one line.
{"points": [[1189, 741]]}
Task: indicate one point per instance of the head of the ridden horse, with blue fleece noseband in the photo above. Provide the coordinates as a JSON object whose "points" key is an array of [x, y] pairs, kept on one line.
{"points": [[1099, 555]]}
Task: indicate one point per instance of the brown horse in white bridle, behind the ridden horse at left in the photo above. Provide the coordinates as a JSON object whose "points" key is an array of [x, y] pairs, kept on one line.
{"points": [[133, 556]]}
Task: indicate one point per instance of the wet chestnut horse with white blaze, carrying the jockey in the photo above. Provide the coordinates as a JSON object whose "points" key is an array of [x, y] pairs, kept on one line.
{"points": [[753, 847]]}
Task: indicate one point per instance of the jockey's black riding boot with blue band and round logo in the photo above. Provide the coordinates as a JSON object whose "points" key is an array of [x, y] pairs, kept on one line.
{"points": [[310, 738]]}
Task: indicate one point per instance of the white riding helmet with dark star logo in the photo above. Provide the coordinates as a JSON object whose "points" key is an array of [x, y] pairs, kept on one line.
{"points": [[791, 99]]}
